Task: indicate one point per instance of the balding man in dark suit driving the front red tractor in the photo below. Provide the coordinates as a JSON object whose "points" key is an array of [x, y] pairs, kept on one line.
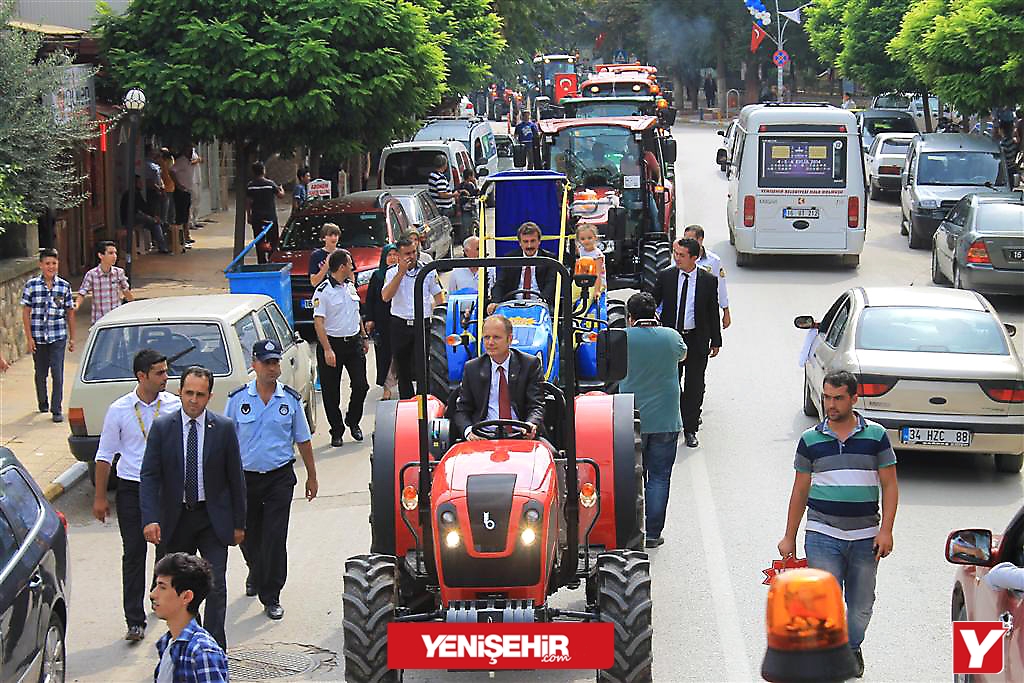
{"points": [[505, 385]]}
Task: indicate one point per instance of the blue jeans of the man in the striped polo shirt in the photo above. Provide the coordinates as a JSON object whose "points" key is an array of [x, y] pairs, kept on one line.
{"points": [[854, 565]]}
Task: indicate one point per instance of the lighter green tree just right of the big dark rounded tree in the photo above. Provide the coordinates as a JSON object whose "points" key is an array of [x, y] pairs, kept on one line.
{"points": [[472, 34]]}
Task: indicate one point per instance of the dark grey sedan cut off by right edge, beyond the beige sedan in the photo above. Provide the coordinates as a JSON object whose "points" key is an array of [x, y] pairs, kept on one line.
{"points": [[980, 245]]}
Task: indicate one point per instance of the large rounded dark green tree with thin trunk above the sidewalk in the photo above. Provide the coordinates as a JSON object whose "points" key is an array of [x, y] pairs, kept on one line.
{"points": [[277, 75]]}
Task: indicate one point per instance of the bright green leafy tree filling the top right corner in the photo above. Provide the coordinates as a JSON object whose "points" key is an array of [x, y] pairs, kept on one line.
{"points": [[973, 56]]}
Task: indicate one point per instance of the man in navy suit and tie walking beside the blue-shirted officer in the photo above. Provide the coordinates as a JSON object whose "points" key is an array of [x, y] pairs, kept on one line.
{"points": [[193, 492]]}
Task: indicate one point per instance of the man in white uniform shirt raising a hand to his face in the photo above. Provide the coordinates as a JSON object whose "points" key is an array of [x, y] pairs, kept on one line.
{"points": [[400, 289]]}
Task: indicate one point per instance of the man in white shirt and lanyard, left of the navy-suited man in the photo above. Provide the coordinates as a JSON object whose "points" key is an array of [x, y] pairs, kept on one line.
{"points": [[125, 430]]}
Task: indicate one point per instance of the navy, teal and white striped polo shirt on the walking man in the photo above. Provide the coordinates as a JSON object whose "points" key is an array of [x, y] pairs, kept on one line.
{"points": [[843, 502]]}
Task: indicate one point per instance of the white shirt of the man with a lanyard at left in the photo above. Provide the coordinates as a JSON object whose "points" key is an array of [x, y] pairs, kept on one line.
{"points": [[123, 435]]}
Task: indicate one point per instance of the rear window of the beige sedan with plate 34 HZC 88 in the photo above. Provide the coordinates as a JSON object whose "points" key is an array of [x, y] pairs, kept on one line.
{"points": [[930, 330]]}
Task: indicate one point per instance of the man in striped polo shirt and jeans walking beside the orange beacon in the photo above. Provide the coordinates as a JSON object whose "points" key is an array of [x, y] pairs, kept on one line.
{"points": [[841, 465]]}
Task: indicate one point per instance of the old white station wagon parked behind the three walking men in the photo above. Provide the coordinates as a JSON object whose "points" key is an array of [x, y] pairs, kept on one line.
{"points": [[217, 332]]}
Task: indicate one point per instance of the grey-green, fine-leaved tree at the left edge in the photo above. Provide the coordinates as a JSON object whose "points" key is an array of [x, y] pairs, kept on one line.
{"points": [[36, 161]]}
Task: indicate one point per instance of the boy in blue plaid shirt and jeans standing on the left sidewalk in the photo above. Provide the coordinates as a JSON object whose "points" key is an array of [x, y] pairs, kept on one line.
{"points": [[49, 316]]}
